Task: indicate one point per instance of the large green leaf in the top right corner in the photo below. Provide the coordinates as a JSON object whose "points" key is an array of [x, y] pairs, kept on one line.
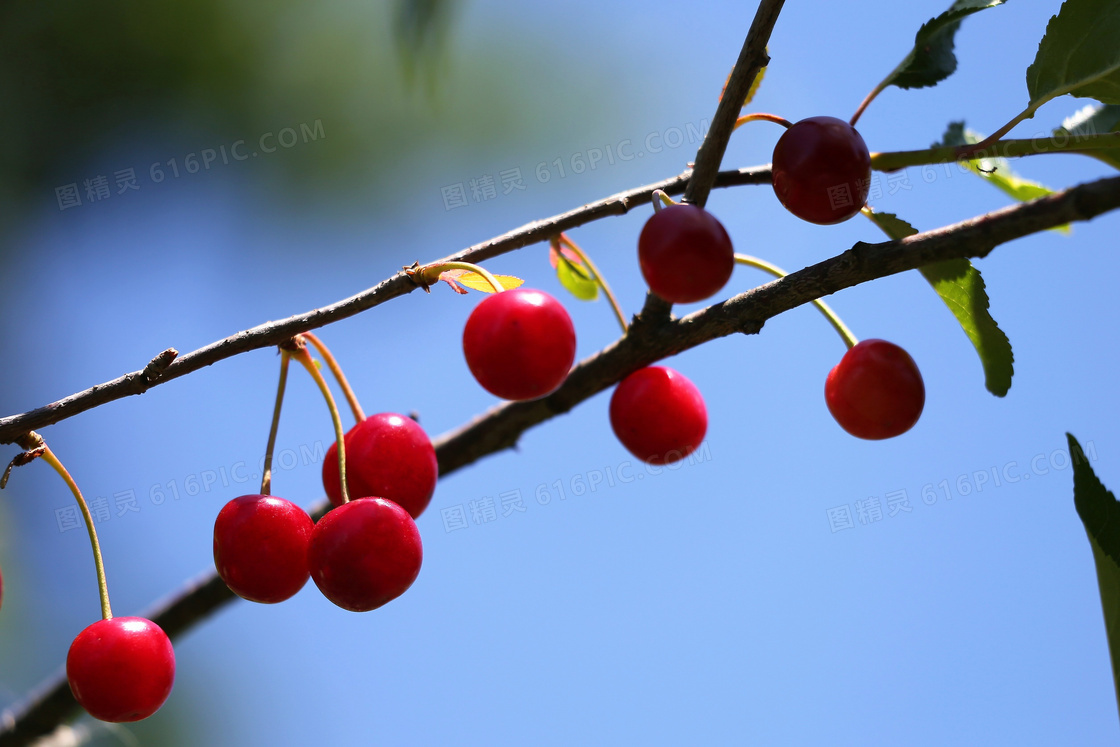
{"points": [[1079, 55]]}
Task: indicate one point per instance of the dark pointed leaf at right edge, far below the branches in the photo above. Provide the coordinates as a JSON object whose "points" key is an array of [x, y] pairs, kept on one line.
{"points": [[1100, 513]]}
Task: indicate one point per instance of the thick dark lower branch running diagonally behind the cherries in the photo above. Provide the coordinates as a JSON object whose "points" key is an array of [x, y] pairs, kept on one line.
{"points": [[502, 426]]}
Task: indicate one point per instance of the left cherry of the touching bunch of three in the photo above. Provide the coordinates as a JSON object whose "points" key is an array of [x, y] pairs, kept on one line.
{"points": [[260, 548]]}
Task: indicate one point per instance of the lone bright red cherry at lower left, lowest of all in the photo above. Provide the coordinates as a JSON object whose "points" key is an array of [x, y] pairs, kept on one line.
{"points": [[122, 669]]}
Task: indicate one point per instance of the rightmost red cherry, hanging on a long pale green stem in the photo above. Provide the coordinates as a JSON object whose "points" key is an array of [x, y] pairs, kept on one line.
{"points": [[876, 391]]}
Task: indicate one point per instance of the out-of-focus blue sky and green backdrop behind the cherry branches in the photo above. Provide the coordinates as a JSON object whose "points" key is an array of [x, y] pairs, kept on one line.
{"points": [[715, 603]]}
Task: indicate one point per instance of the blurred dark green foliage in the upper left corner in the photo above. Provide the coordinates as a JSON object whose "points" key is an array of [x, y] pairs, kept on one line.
{"points": [[166, 80]]}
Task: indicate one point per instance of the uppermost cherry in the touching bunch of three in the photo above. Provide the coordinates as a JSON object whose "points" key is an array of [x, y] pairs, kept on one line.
{"points": [[388, 456]]}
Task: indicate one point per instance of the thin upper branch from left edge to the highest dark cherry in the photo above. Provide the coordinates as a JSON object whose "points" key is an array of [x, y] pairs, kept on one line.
{"points": [[166, 367]]}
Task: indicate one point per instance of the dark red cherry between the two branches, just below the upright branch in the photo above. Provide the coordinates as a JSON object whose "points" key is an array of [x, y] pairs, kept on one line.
{"points": [[686, 255]]}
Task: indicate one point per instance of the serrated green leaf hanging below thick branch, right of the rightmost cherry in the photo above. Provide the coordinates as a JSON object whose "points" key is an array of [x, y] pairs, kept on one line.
{"points": [[963, 290]]}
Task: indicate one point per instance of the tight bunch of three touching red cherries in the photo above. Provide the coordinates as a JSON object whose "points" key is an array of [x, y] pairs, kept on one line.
{"points": [[361, 555]]}
